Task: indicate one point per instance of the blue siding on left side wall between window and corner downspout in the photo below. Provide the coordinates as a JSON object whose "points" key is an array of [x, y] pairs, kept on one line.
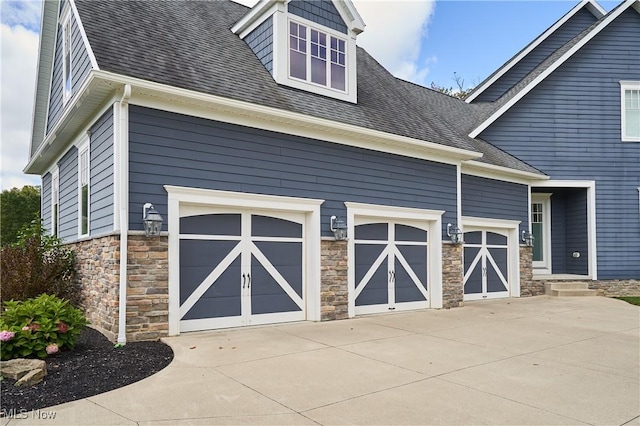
{"points": [[101, 175]]}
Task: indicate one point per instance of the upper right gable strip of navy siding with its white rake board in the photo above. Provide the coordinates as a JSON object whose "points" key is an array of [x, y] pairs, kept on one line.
{"points": [[571, 24]]}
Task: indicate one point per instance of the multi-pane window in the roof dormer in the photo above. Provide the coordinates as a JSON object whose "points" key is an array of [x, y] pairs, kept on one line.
{"points": [[317, 57]]}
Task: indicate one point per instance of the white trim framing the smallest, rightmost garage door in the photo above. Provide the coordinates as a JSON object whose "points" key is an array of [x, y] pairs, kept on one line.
{"points": [[510, 227]]}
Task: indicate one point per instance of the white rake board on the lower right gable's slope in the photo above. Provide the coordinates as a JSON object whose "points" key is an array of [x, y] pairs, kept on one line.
{"points": [[551, 69]]}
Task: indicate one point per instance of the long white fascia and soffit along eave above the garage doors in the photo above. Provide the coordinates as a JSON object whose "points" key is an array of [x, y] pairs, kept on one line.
{"points": [[169, 98]]}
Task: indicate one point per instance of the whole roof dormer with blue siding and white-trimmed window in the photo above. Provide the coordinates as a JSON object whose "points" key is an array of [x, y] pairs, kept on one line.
{"points": [[308, 45]]}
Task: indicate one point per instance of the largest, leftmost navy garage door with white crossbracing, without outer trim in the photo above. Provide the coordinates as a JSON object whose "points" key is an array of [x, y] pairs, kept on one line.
{"points": [[241, 268]]}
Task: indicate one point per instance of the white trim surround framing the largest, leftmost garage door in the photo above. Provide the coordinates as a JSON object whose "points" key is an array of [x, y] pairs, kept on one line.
{"points": [[190, 198]]}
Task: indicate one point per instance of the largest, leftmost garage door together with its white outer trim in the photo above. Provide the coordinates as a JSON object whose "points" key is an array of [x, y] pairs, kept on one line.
{"points": [[241, 259]]}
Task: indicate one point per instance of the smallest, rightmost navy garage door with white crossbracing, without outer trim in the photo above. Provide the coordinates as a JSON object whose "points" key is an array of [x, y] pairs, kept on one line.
{"points": [[486, 264]]}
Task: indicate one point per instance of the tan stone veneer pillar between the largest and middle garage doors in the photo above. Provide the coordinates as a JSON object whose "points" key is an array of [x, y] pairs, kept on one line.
{"points": [[334, 297]]}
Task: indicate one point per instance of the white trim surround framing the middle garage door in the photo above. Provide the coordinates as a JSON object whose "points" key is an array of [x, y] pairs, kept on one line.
{"points": [[358, 213]]}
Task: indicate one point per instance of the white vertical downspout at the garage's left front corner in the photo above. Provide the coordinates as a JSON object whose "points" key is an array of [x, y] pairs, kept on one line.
{"points": [[123, 194]]}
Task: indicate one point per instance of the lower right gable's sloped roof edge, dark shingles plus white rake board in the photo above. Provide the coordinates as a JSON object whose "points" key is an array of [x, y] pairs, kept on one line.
{"points": [[548, 66]]}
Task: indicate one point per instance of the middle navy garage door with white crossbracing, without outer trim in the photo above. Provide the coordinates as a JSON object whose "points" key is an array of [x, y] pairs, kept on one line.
{"points": [[391, 262]]}
